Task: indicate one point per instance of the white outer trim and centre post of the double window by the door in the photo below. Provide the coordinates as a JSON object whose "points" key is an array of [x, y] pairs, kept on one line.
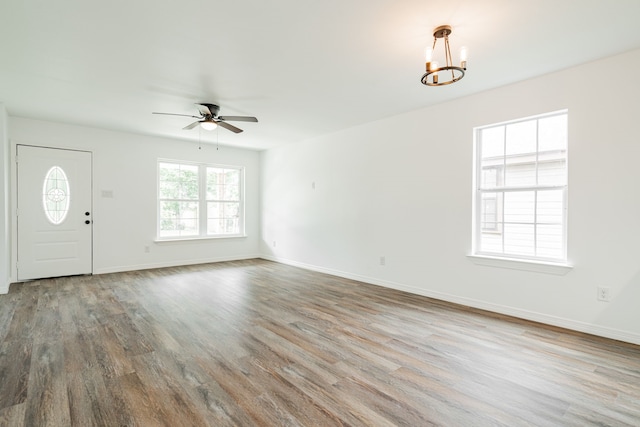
{"points": [[202, 201]]}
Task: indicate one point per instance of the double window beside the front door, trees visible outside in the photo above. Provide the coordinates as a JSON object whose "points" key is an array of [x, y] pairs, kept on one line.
{"points": [[198, 200]]}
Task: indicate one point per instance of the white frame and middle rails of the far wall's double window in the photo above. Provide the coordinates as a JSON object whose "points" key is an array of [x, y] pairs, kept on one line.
{"points": [[202, 201]]}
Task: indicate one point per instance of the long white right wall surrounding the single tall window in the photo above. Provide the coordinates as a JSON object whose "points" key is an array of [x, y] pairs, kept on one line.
{"points": [[402, 188]]}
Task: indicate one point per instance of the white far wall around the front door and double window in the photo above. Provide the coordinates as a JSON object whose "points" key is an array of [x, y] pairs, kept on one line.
{"points": [[126, 165]]}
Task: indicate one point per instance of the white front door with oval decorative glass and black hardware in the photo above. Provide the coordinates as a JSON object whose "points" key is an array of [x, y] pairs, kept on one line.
{"points": [[54, 212]]}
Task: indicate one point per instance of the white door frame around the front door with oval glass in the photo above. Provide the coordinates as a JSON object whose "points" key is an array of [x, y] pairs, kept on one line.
{"points": [[14, 204]]}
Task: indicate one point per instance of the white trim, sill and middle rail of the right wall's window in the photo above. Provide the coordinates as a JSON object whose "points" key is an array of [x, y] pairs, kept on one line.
{"points": [[529, 263]]}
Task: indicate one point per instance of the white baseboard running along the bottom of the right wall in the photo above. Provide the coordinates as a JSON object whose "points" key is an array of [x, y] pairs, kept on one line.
{"points": [[561, 322]]}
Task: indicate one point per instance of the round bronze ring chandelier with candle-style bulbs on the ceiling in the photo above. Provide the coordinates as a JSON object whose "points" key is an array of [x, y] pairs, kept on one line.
{"points": [[448, 73]]}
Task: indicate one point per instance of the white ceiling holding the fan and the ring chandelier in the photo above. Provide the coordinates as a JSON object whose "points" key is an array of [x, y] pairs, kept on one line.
{"points": [[304, 68]]}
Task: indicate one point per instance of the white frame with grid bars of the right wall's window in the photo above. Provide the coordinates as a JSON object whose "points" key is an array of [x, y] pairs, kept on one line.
{"points": [[502, 190]]}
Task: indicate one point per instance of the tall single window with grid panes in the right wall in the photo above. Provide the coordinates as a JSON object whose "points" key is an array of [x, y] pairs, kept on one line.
{"points": [[521, 189]]}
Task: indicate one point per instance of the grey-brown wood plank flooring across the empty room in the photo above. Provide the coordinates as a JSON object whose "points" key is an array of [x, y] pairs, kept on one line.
{"points": [[256, 343]]}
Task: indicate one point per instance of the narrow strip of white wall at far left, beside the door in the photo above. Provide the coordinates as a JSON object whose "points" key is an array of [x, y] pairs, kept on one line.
{"points": [[5, 213]]}
